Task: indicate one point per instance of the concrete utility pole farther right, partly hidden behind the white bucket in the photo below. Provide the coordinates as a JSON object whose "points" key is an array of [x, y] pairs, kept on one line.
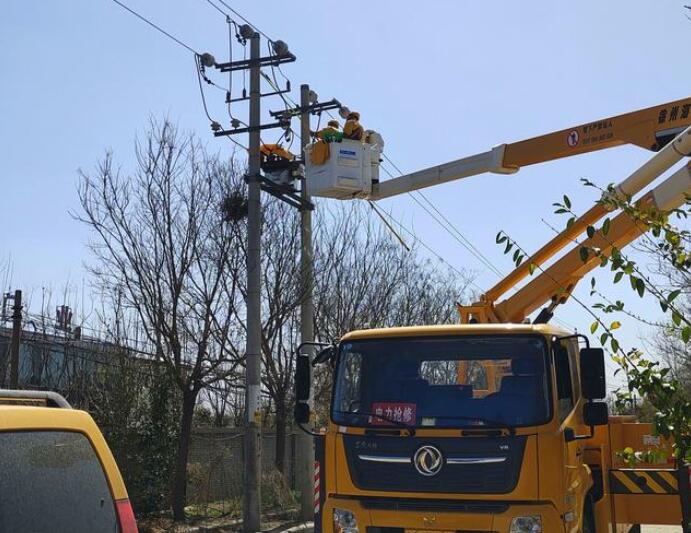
{"points": [[304, 456]]}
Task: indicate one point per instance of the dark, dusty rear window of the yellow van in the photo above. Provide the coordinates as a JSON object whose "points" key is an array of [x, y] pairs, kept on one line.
{"points": [[52, 481]]}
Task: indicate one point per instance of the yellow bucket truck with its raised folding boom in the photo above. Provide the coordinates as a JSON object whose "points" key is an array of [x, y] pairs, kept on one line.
{"points": [[495, 424]]}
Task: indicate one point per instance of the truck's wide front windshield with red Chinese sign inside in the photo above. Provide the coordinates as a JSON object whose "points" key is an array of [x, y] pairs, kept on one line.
{"points": [[470, 381]]}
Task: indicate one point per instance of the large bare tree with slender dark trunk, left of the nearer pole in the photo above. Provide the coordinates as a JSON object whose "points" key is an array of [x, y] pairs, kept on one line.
{"points": [[160, 242]]}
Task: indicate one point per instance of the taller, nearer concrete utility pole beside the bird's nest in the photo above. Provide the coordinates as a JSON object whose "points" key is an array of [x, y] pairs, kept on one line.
{"points": [[252, 481]]}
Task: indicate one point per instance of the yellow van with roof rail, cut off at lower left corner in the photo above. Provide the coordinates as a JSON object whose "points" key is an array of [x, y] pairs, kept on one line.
{"points": [[57, 473]]}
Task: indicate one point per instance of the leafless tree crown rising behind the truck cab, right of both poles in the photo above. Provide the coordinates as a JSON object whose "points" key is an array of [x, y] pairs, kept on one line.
{"points": [[368, 280]]}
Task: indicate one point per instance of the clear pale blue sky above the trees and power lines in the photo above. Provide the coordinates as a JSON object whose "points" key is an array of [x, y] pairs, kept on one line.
{"points": [[439, 80]]}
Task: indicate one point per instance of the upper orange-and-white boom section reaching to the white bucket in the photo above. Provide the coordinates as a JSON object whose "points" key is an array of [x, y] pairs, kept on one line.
{"points": [[650, 128]]}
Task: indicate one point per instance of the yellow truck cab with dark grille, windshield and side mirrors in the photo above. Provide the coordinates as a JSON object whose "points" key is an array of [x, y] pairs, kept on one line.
{"points": [[463, 428]]}
